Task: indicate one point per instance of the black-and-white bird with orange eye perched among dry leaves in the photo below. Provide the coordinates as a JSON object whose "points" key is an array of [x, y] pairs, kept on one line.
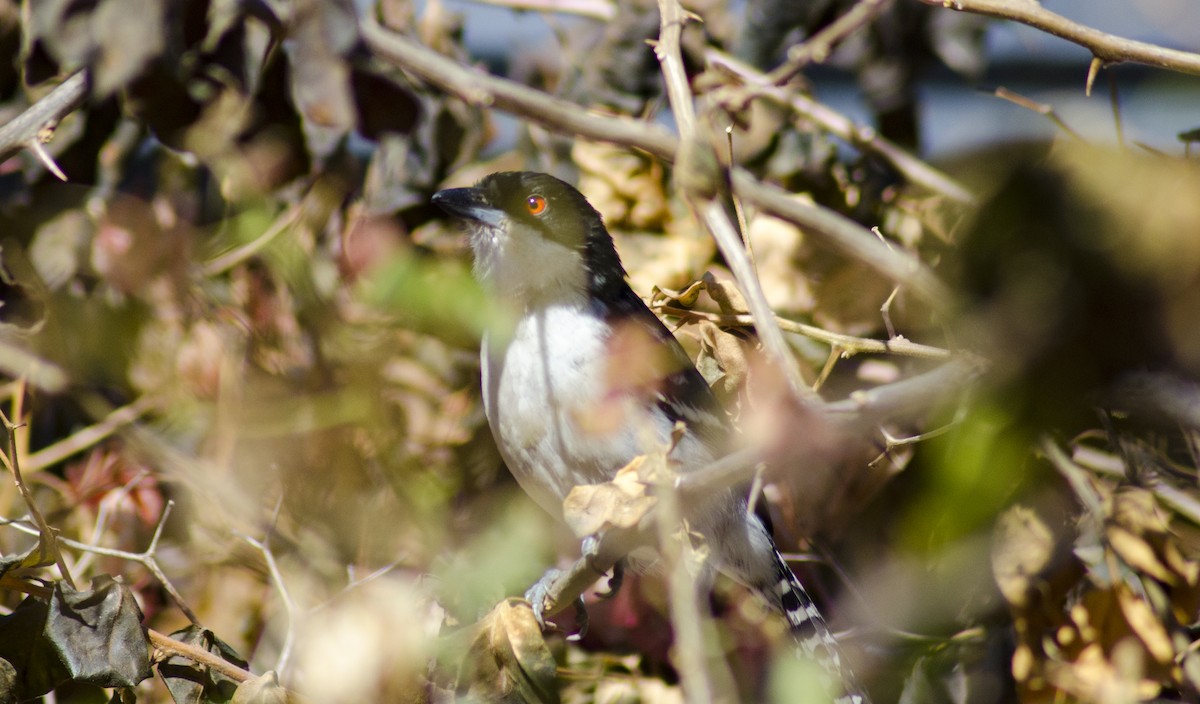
{"points": [[544, 251]]}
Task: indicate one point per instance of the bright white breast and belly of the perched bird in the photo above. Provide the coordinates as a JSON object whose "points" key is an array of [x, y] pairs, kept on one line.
{"points": [[555, 418]]}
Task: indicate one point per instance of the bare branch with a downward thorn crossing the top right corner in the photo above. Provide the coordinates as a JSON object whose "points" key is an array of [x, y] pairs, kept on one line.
{"points": [[1103, 46]]}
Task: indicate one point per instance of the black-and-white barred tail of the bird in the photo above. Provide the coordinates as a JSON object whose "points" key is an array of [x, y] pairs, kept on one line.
{"points": [[813, 639]]}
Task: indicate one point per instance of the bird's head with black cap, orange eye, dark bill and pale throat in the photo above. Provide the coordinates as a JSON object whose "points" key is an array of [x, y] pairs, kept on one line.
{"points": [[536, 238]]}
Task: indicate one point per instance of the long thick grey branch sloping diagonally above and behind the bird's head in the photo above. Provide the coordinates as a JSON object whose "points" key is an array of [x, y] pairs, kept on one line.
{"points": [[482, 89]]}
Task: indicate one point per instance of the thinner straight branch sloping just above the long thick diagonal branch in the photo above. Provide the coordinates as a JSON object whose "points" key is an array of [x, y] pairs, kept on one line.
{"points": [[860, 136]]}
